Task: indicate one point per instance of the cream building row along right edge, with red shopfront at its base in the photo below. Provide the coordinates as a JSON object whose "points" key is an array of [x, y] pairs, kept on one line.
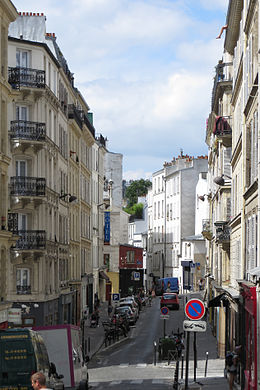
{"points": [[234, 123]]}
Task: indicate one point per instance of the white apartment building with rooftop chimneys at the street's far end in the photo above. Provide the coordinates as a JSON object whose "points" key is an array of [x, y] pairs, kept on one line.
{"points": [[171, 214]]}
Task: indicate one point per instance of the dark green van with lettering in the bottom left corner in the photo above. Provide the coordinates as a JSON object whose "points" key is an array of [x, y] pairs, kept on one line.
{"points": [[22, 353]]}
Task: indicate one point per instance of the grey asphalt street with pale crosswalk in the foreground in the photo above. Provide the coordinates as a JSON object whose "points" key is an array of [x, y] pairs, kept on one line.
{"points": [[130, 364]]}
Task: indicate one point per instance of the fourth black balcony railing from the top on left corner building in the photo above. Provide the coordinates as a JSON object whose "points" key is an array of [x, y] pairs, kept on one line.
{"points": [[31, 239]]}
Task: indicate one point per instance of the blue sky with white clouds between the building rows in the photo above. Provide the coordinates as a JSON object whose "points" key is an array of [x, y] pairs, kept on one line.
{"points": [[145, 68]]}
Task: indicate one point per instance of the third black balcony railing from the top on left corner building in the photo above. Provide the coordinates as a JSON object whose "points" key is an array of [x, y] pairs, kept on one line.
{"points": [[27, 186]]}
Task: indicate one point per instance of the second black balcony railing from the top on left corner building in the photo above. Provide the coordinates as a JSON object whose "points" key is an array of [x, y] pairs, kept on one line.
{"points": [[27, 130]]}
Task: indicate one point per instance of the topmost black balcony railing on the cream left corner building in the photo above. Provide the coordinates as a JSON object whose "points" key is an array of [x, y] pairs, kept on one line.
{"points": [[26, 77]]}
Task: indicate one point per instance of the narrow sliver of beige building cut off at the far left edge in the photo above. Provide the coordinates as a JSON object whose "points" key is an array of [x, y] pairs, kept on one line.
{"points": [[7, 239]]}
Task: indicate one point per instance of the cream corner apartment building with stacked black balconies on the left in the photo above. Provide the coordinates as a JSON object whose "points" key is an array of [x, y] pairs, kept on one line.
{"points": [[50, 275]]}
